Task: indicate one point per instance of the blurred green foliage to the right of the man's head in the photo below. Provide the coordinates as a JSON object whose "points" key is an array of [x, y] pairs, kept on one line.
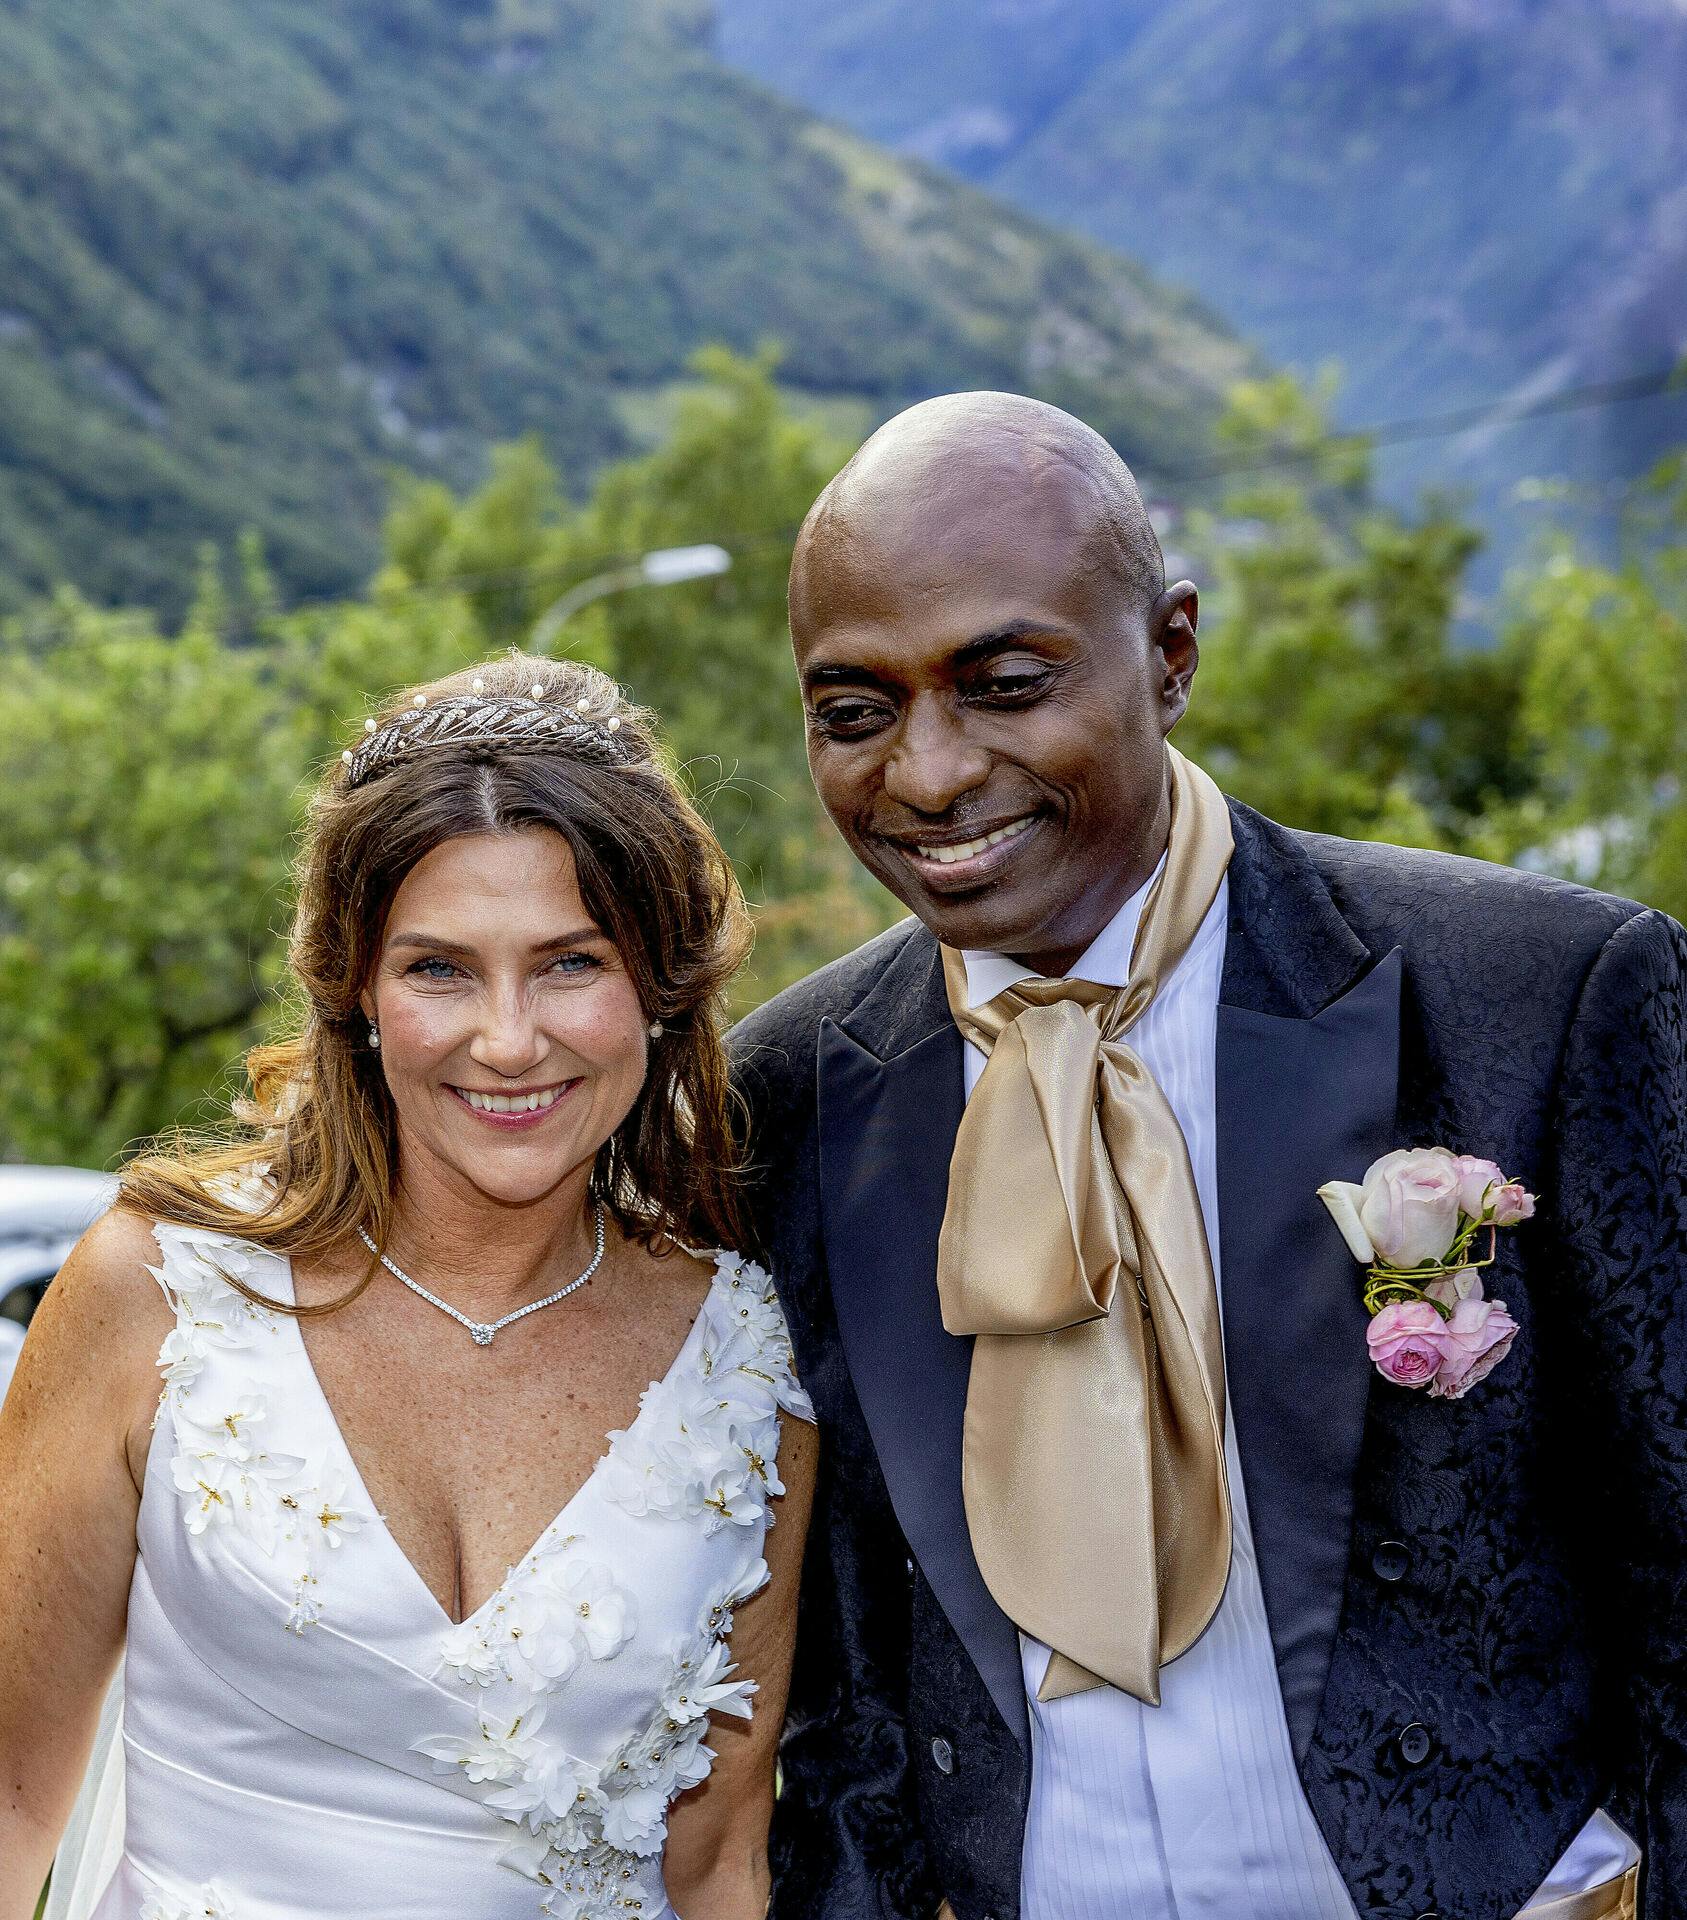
{"points": [[1344, 692]]}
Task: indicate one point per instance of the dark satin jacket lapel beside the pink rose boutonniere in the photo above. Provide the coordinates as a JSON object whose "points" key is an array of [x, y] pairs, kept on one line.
{"points": [[1308, 1072]]}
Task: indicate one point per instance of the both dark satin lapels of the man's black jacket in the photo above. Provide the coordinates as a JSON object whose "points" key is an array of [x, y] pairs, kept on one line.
{"points": [[1308, 1067]]}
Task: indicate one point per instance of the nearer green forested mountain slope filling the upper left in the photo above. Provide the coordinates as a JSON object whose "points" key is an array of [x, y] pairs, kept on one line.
{"points": [[254, 254]]}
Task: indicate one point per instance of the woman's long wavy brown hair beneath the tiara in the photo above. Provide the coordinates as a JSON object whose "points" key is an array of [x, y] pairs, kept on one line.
{"points": [[318, 1126]]}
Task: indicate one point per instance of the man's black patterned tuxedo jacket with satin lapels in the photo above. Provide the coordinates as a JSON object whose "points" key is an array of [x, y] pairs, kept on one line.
{"points": [[1479, 1608]]}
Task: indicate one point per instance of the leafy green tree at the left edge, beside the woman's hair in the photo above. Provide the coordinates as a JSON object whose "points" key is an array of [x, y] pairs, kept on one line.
{"points": [[143, 846]]}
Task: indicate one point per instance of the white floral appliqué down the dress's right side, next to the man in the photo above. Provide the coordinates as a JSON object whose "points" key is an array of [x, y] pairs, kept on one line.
{"points": [[703, 1452]]}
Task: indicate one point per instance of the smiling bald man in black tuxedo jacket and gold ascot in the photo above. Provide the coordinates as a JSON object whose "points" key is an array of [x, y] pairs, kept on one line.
{"points": [[1135, 1593]]}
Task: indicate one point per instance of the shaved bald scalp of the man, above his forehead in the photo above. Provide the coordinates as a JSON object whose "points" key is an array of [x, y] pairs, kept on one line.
{"points": [[989, 469]]}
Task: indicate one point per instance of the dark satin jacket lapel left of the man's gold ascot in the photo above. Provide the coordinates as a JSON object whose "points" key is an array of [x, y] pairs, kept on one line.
{"points": [[890, 1107]]}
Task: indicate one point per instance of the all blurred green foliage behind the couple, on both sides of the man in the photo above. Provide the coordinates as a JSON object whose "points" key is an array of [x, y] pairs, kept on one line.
{"points": [[154, 780]]}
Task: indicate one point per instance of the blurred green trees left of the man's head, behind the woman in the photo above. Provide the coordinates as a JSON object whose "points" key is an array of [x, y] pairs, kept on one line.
{"points": [[154, 780]]}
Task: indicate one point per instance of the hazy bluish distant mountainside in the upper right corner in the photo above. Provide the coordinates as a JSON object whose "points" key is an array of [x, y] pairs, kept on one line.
{"points": [[1458, 201]]}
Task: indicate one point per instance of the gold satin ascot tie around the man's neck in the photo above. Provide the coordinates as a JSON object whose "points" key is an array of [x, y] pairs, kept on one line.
{"points": [[1074, 1251]]}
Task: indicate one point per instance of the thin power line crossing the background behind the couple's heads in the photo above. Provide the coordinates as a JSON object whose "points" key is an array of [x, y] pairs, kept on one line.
{"points": [[1588, 398]]}
